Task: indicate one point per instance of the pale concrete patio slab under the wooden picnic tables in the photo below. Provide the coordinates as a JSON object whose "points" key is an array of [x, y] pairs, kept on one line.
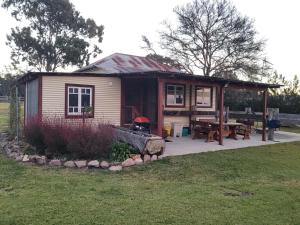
{"points": [[185, 145]]}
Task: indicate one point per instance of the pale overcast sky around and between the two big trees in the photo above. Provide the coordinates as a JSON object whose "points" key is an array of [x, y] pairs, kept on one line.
{"points": [[126, 21]]}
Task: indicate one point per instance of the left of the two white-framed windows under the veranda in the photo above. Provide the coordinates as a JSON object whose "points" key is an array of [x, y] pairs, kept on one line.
{"points": [[175, 95]]}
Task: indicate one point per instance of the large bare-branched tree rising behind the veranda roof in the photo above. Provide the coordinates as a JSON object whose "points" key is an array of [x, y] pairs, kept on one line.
{"points": [[212, 36]]}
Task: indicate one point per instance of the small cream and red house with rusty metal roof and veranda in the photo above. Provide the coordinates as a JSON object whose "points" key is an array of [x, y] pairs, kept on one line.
{"points": [[121, 87]]}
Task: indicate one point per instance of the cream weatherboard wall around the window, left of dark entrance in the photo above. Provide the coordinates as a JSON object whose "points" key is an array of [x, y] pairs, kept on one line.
{"points": [[107, 96]]}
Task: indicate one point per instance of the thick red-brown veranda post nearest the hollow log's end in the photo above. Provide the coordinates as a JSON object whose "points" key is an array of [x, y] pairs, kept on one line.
{"points": [[160, 116]]}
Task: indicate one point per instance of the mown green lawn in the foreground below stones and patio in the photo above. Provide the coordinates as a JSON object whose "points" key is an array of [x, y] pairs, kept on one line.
{"points": [[258, 185]]}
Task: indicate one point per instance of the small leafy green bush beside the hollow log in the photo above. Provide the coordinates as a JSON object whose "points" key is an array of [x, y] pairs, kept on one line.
{"points": [[122, 151]]}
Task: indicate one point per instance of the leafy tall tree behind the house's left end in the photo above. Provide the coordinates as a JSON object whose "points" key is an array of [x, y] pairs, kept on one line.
{"points": [[55, 35]]}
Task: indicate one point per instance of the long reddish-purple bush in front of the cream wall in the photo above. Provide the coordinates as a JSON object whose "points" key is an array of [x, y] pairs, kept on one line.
{"points": [[56, 137]]}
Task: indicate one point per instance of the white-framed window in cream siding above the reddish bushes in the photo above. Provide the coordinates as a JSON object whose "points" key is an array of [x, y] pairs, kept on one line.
{"points": [[79, 99]]}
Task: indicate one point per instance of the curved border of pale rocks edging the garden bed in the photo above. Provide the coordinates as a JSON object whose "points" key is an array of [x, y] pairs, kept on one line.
{"points": [[13, 150]]}
